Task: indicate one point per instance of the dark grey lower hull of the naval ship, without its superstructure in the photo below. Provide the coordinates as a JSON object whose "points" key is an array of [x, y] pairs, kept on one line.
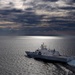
{"points": [[47, 58]]}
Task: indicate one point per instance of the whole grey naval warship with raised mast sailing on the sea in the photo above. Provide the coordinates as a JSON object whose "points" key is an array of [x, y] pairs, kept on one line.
{"points": [[45, 54]]}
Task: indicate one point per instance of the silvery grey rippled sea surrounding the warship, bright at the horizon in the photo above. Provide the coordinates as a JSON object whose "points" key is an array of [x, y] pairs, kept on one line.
{"points": [[14, 62]]}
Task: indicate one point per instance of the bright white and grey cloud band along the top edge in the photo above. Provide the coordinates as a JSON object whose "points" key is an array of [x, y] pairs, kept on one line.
{"points": [[36, 4]]}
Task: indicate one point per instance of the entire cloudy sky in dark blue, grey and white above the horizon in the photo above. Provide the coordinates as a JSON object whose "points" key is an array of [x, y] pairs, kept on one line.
{"points": [[37, 17]]}
